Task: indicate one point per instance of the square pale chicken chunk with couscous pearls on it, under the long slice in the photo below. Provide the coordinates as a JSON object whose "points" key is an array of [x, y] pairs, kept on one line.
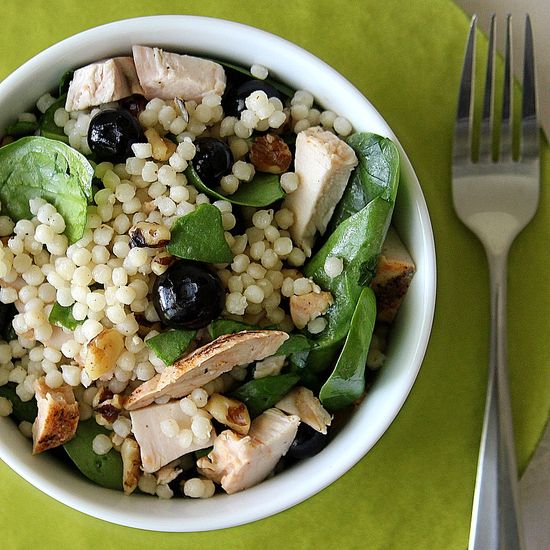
{"points": [[157, 449]]}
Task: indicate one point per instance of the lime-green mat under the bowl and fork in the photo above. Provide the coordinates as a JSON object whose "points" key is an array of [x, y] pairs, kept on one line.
{"points": [[414, 489]]}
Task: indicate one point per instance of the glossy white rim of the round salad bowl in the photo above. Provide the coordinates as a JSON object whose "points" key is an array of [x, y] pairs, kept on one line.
{"points": [[328, 470]]}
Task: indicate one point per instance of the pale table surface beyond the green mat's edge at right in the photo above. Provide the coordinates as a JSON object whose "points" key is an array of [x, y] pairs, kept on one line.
{"points": [[535, 482]]}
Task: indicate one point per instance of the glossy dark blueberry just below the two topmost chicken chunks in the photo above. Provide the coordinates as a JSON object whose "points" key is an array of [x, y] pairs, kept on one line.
{"points": [[112, 133]]}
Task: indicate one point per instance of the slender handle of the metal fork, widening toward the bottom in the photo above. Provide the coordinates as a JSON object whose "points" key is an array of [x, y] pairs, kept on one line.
{"points": [[495, 517]]}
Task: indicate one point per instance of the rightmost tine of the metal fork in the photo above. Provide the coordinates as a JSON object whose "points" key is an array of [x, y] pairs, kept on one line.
{"points": [[529, 128]]}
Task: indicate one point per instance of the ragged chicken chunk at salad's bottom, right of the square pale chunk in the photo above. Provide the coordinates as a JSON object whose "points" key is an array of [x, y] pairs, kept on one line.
{"points": [[238, 462]]}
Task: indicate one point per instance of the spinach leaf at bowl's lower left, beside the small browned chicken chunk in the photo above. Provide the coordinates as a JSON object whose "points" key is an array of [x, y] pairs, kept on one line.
{"points": [[105, 470]]}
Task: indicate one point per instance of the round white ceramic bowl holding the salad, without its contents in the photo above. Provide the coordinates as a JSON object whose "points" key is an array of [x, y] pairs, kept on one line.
{"points": [[301, 70]]}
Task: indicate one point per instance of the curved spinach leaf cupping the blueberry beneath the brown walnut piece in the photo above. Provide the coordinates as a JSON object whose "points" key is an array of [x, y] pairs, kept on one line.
{"points": [[263, 190]]}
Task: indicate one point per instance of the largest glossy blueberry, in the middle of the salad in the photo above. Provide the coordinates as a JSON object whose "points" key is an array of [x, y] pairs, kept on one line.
{"points": [[188, 295]]}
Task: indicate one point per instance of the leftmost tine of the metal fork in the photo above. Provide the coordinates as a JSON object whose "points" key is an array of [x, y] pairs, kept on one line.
{"points": [[464, 117]]}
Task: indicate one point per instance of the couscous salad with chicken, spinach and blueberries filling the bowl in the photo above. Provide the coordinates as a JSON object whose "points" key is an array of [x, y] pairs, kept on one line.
{"points": [[199, 272]]}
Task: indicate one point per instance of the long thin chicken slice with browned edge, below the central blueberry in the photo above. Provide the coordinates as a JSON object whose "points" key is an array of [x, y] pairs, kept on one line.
{"points": [[207, 363]]}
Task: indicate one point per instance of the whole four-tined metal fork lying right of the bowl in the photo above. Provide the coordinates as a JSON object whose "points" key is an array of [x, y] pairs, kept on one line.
{"points": [[496, 199]]}
